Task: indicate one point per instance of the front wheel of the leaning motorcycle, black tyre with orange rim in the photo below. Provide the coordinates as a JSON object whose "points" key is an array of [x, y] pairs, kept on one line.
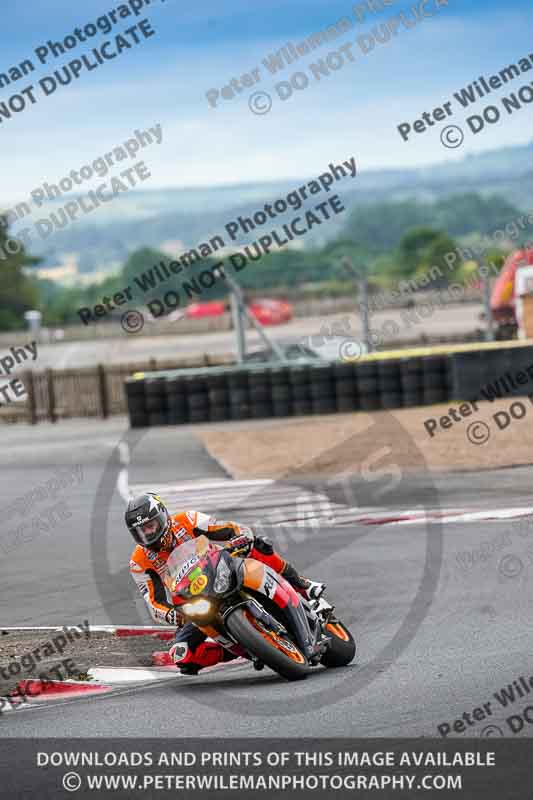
{"points": [[277, 652]]}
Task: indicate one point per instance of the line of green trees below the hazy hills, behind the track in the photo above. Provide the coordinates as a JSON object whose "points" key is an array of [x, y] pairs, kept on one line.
{"points": [[389, 242]]}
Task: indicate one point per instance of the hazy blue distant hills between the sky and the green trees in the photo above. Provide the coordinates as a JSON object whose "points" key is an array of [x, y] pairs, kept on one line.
{"points": [[104, 239]]}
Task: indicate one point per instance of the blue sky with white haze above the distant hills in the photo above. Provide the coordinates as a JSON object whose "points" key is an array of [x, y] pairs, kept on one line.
{"points": [[197, 47]]}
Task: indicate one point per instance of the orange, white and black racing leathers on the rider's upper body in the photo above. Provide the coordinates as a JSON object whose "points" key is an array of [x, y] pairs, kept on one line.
{"points": [[147, 566]]}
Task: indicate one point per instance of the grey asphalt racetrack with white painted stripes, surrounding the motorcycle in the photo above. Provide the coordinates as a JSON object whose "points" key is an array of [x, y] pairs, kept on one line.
{"points": [[438, 598]]}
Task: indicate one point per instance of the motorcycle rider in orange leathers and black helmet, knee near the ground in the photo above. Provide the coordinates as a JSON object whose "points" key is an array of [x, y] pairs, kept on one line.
{"points": [[157, 533]]}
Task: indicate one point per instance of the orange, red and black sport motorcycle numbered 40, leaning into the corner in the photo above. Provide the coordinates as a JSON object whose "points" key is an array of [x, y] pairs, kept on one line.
{"points": [[241, 601]]}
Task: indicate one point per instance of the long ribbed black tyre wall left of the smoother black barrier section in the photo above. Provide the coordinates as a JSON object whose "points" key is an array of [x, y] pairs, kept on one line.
{"points": [[285, 389]]}
